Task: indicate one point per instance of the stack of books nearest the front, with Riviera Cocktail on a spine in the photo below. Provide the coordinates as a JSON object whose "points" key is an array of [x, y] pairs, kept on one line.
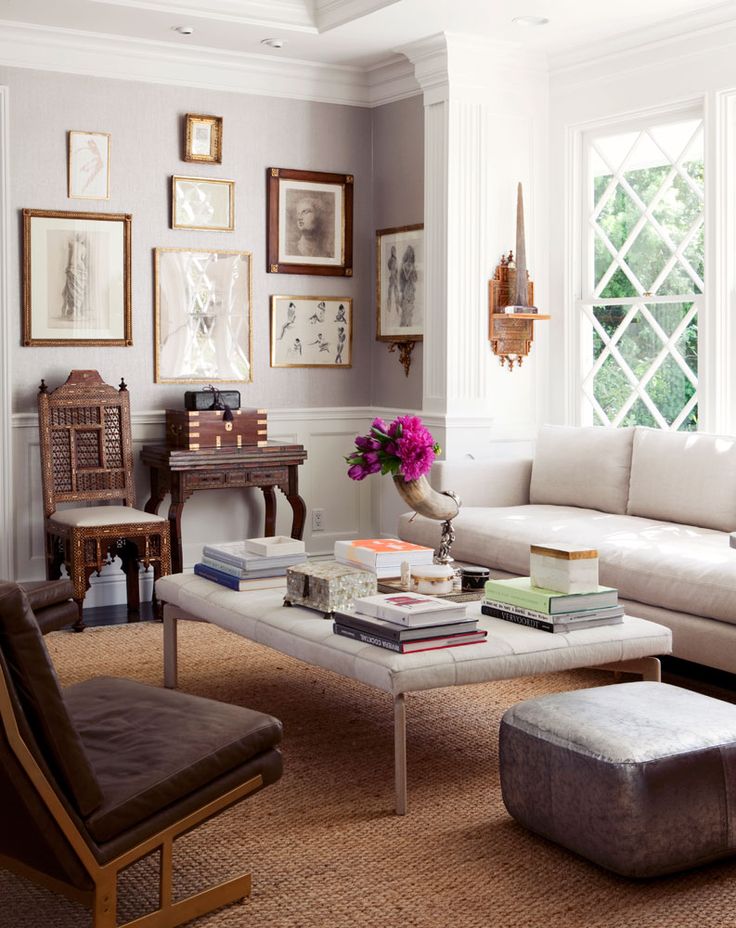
{"points": [[408, 622]]}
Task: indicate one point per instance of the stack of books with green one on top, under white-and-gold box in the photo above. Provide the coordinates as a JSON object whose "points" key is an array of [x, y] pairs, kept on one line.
{"points": [[519, 601]]}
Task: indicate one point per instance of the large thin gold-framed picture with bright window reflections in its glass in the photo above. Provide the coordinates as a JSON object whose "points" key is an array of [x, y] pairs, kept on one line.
{"points": [[203, 325]]}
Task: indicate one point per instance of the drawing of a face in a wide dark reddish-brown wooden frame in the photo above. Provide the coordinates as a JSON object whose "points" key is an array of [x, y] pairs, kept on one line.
{"points": [[310, 222]]}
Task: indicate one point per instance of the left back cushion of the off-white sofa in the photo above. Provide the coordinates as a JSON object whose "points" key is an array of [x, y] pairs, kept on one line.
{"points": [[585, 467]]}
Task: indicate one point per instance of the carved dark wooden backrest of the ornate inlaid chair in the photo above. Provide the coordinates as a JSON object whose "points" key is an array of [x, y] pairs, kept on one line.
{"points": [[86, 448]]}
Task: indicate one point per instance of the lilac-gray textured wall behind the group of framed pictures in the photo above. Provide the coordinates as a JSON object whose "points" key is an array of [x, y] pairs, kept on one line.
{"points": [[146, 125]]}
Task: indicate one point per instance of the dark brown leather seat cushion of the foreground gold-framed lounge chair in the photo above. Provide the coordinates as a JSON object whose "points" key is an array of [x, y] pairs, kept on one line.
{"points": [[152, 747]]}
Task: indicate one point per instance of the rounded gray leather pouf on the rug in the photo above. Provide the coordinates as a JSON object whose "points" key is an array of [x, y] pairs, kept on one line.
{"points": [[637, 777]]}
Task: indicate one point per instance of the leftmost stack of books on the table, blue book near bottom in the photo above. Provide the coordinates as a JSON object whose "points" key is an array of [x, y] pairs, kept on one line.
{"points": [[256, 563]]}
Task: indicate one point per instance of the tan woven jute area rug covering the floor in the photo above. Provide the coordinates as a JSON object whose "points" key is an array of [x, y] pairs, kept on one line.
{"points": [[323, 845]]}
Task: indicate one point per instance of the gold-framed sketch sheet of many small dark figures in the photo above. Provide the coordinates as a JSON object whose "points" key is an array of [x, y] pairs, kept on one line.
{"points": [[311, 331]]}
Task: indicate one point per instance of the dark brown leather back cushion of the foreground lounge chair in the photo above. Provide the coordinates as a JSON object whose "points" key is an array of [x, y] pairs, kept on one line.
{"points": [[38, 690]]}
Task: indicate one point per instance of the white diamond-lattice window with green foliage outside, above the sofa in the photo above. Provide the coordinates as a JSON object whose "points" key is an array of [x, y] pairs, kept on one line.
{"points": [[643, 274]]}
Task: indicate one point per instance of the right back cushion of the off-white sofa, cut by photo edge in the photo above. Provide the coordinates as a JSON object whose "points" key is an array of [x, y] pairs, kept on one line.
{"points": [[684, 477]]}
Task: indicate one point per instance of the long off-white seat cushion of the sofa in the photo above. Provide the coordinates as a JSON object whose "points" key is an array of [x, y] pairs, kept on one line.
{"points": [[685, 568]]}
